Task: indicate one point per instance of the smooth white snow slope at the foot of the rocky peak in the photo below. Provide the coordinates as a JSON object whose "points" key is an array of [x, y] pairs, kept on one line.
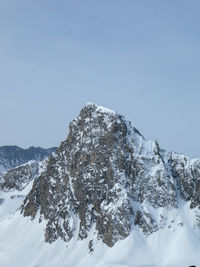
{"points": [[22, 243]]}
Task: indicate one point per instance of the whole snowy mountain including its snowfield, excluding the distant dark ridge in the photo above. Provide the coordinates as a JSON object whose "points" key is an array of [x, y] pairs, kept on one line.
{"points": [[107, 197]]}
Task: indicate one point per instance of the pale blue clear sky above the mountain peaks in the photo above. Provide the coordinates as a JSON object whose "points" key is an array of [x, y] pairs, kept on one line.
{"points": [[138, 57]]}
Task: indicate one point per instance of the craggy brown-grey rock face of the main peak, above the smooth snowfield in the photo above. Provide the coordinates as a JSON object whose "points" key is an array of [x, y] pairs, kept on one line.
{"points": [[102, 178]]}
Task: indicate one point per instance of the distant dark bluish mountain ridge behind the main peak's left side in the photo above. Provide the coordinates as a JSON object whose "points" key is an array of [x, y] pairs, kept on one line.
{"points": [[13, 156]]}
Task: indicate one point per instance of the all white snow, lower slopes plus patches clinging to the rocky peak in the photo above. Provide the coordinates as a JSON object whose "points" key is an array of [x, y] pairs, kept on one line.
{"points": [[176, 243]]}
